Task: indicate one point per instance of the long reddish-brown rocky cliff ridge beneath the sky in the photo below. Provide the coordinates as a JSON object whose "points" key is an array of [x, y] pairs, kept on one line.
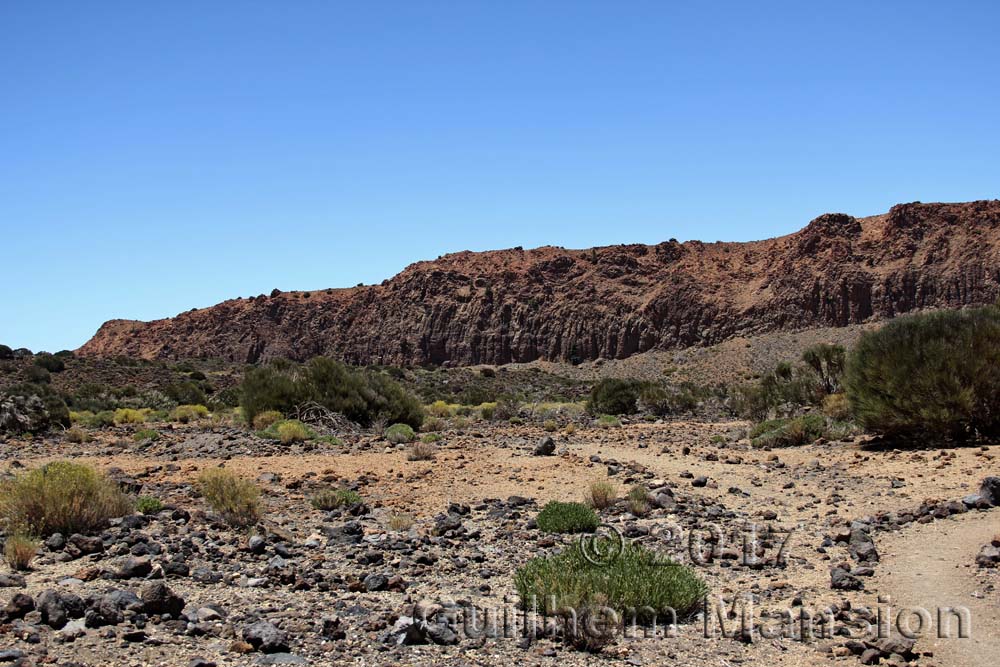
{"points": [[556, 304]]}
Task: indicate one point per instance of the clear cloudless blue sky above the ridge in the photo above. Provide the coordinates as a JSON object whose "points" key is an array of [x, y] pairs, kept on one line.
{"points": [[158, 156]]}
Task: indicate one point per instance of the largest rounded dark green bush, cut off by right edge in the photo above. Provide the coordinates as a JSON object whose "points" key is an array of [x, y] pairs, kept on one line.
{"points": [[934, 375]]}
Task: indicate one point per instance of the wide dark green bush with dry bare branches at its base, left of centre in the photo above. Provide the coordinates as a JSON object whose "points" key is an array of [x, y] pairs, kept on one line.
{"points": [[361, 396]]}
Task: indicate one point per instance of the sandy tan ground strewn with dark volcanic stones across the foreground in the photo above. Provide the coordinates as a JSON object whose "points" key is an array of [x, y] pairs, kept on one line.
{"points": [[308, 586]]}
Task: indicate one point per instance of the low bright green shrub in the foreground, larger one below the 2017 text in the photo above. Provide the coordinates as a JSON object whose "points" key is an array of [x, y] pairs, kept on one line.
{"points": [[635, 582]]}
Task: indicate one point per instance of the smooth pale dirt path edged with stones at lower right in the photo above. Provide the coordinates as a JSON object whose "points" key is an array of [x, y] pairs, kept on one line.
{"points": [[932, 566]]}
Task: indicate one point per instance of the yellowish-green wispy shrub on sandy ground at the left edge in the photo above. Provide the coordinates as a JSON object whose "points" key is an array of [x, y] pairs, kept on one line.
{"points": [[60, 497]]}
